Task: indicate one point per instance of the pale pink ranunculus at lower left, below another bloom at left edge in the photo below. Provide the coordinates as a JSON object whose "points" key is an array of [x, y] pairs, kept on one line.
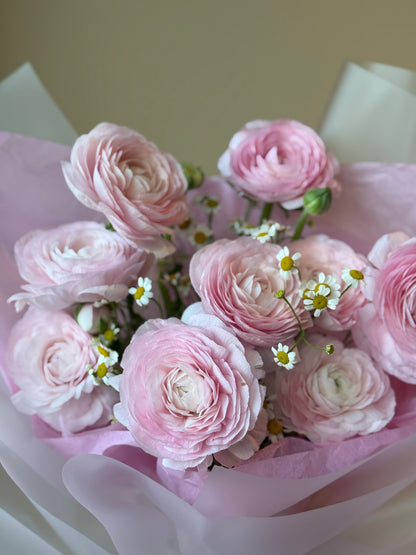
{"points": [[47, 358]]}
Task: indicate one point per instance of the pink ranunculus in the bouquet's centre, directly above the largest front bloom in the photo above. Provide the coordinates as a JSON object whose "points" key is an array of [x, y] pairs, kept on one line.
{"points": [[237, 281]]}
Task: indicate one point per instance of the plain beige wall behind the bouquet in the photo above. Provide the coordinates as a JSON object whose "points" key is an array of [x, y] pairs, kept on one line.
{"points": [[187, 74]]}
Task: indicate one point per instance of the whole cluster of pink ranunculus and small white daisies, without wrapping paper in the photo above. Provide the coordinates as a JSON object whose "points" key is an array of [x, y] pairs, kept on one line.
{"points": [[205, 317]]}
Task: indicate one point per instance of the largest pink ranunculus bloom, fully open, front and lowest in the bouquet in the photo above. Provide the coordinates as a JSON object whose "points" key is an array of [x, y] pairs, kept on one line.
{"points": [[189, 389]]}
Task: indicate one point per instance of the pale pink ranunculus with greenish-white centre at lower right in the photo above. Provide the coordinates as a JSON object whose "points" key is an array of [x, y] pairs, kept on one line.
{"points": [[333, 397]]}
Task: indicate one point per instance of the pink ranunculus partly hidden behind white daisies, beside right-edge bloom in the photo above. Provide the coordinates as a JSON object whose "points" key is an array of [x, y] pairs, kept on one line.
{"points": [[320, 253]]}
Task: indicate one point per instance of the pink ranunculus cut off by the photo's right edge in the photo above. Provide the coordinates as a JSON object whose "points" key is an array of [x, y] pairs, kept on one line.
{"points": [[387, 326]]}
